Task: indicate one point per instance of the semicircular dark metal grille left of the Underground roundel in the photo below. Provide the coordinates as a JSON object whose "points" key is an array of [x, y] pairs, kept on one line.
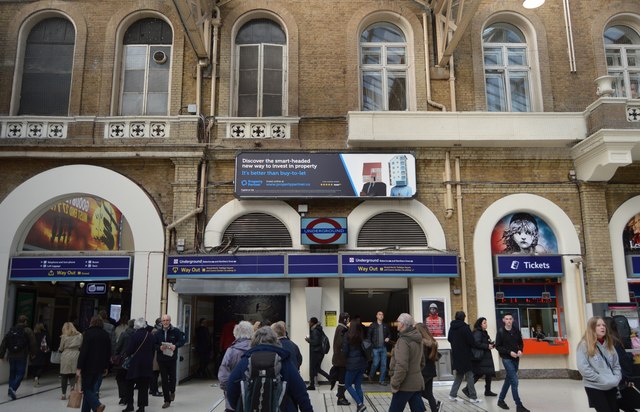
{"points": [[258, 230]]}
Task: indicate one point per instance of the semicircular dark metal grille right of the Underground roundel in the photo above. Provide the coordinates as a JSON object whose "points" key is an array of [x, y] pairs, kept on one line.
{"points": [[391, 229]]}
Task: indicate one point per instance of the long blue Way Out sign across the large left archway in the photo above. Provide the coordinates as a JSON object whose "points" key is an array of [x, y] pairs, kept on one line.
{"points": [[70, 268]]}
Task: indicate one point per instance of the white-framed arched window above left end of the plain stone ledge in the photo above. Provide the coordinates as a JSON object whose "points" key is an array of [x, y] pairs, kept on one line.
{"points": [[383, 64]]}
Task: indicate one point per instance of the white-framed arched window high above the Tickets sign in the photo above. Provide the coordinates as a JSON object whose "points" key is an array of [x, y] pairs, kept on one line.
{"points": [[507, 70]]}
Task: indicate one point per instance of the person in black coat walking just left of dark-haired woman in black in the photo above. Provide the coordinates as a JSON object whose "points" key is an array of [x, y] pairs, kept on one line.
{"points": [[462, 341]]}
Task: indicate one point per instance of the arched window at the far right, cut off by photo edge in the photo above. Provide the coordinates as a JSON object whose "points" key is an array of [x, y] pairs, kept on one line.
{"points": [[622, 47]]}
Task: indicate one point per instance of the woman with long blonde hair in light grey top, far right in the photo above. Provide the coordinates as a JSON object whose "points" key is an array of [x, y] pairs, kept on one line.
{"points": [[598, 363]]}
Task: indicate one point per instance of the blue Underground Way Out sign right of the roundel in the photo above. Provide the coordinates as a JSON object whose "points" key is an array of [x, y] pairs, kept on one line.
{"points": [[400, 265]]}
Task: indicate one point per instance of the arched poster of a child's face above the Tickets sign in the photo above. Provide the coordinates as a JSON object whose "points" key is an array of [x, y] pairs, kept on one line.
{"points": [[523, 233]]}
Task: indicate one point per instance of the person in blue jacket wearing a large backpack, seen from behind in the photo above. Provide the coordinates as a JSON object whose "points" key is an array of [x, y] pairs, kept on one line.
{"points": [[266, 375]]}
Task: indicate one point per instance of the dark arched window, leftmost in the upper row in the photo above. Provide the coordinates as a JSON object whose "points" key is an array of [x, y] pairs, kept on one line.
{"points": [[48, 61]]}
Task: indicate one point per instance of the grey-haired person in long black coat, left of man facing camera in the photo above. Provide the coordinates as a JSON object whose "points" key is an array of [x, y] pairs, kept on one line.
{"points": [[141, 348]]}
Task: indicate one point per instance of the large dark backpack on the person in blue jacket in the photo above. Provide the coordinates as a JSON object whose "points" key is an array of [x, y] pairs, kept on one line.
{"points": [[262, 388]]}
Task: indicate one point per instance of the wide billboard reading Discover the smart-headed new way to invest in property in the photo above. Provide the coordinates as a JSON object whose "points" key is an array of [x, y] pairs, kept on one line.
{"points": [[323, 174]]}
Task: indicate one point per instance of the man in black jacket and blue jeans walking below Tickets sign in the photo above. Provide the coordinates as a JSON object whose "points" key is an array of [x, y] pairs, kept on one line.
{"points": [[509, 345]]}
